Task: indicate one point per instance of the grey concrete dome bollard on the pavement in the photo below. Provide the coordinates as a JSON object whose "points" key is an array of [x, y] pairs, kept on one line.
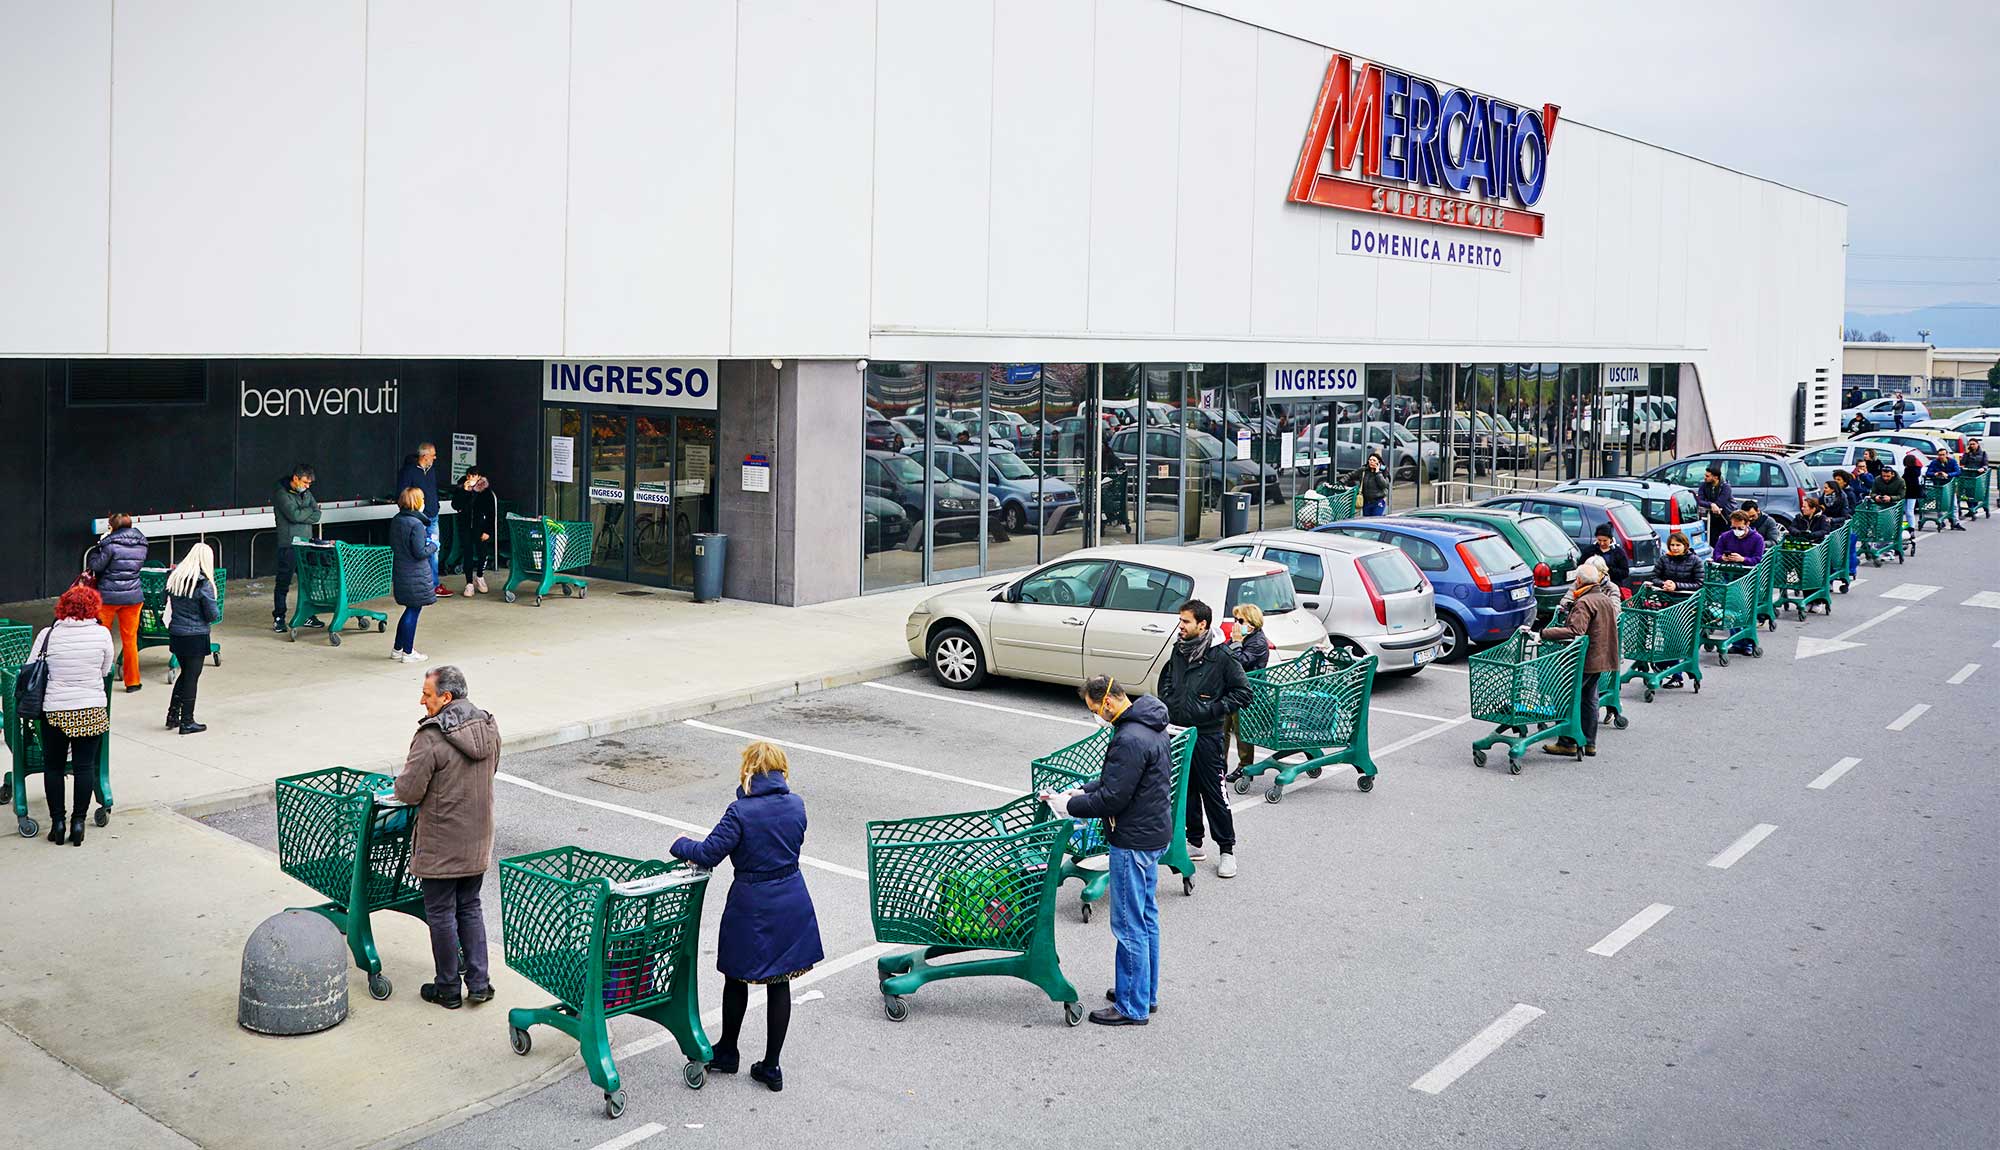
{"points": [[295, 977]]}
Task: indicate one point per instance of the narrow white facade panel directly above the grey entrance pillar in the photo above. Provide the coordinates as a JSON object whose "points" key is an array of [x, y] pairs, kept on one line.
{"points": [[805, 129]]}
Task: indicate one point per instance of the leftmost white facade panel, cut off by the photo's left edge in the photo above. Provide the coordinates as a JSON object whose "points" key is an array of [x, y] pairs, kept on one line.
{"points": [[55, 135]]}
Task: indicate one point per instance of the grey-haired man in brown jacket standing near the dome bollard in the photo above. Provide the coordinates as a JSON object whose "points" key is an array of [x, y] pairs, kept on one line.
{"points": [[449, 777]]}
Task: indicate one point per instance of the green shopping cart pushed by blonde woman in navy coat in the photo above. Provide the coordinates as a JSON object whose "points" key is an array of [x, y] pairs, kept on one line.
{"points": [[607, 937]]}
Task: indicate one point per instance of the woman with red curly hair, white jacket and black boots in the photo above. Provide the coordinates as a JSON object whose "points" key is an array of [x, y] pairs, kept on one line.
{"points": [[75, 711]]}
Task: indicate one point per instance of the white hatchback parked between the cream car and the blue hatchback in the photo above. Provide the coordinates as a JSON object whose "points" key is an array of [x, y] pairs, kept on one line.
{"points": [[1369, 595]]}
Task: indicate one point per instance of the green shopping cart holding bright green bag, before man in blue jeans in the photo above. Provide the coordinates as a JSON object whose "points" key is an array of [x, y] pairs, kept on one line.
{"points": [[973, 881]]}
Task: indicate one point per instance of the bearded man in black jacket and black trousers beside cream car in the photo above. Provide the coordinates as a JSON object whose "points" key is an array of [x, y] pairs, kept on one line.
{"points": [[1203, 687]]}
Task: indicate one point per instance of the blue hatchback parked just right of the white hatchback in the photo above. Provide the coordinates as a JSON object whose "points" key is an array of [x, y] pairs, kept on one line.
{"points": [[1483, 587]]}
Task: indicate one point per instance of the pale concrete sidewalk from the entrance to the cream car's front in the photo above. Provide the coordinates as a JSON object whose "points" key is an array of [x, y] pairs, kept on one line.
{"points": [[569, 669]]}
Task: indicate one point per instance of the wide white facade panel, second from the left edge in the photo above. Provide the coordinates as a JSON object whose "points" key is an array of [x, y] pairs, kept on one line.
{"points": [[255, 249]]}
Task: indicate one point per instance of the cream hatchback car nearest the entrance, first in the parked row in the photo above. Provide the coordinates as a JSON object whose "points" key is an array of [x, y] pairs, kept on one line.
{"points": [[1099, 611]]}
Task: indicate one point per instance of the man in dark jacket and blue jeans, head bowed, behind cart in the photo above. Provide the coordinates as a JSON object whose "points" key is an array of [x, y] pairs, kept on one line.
{"points": [[1135, 797]]}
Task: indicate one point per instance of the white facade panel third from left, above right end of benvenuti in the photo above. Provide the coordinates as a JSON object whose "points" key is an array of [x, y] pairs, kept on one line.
{"points": [[465, 173]]}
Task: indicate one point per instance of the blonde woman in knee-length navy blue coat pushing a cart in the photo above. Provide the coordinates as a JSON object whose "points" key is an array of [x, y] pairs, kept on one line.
{"points": [[769, 929]]}
